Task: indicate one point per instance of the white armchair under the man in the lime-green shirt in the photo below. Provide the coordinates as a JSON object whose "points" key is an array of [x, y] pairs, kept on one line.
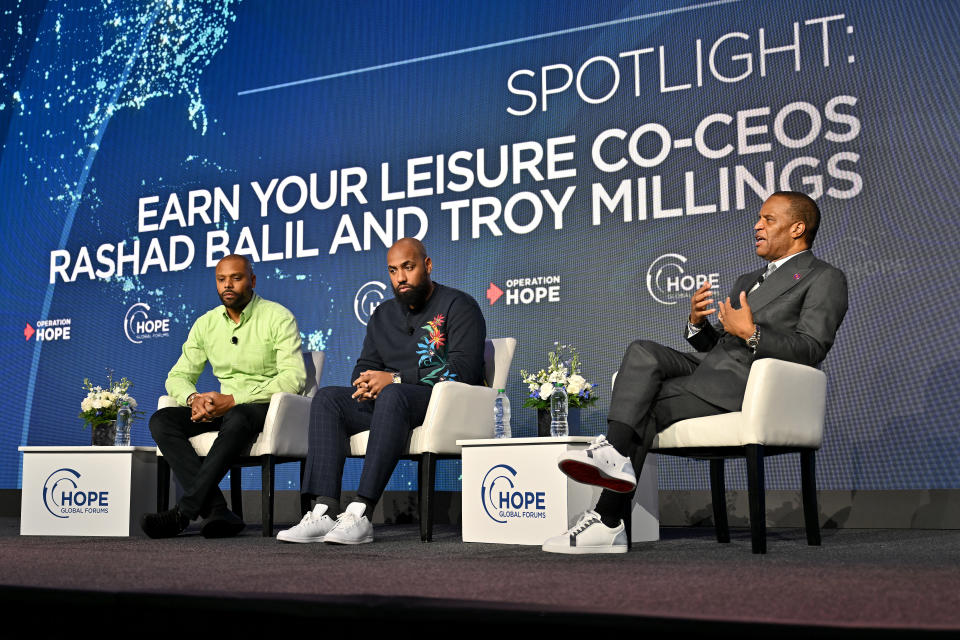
{"points": [[284, 439]]}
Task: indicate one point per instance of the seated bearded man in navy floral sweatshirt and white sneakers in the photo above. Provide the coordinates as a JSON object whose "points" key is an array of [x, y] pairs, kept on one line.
{"points": [[426, 334]]}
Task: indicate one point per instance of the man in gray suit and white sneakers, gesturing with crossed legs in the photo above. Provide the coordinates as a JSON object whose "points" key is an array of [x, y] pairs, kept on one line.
{"points": [[789, 310]]}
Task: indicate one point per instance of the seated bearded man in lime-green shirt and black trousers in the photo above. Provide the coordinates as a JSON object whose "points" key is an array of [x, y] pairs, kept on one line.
{"points": [[253, 347]]}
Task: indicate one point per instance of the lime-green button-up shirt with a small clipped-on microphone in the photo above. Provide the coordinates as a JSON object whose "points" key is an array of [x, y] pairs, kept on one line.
{"points": [[252, 359]]}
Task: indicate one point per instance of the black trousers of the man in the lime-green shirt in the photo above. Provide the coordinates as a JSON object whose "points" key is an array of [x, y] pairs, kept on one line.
{"points": [[200, 477]]}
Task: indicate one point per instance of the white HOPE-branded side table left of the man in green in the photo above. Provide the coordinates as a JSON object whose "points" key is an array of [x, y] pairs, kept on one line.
{"points": [[87, 491]]}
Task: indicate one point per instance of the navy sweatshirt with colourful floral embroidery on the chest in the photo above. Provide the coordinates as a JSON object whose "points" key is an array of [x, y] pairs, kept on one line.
{"points": [[443, 340]]}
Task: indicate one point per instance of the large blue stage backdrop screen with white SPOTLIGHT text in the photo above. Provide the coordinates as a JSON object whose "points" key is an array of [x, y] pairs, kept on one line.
{"points": [[576, 167]]}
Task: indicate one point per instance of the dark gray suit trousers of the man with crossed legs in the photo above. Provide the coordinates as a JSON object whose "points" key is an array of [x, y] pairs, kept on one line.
{"points": [[650, 395]]}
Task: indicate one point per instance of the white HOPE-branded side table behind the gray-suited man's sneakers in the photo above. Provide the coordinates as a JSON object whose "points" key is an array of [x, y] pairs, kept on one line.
{"points": [[513, 492]]}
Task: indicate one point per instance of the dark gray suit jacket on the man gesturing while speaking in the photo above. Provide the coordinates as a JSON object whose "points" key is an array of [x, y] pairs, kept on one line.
{"points": [[798, 310]]}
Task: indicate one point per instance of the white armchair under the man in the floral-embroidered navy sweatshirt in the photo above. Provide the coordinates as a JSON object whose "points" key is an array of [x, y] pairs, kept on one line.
{"points": [[457, 411]]}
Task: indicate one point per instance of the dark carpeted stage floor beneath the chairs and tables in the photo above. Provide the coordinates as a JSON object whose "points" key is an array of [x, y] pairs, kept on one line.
{"points": [[862, 579]]}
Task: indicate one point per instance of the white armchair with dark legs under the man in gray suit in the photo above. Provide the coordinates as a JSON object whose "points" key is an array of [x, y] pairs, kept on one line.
{"points": [[783, 412]]}
